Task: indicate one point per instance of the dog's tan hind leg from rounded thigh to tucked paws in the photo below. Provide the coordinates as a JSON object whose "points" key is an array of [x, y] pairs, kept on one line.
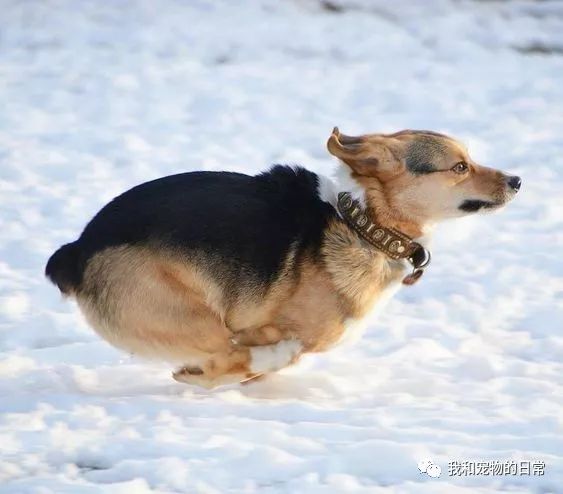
{"points": [[163, 309]]}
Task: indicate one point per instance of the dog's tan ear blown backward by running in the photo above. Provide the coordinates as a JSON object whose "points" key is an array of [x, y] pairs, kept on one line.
{"points": [[365, 155]]}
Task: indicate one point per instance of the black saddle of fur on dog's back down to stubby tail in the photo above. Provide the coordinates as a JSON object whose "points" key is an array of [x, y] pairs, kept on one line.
{"points": [[246, 225]]}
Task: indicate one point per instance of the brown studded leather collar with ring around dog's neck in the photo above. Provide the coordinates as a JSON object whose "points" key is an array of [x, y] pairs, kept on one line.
{"points": [[391, 242]]}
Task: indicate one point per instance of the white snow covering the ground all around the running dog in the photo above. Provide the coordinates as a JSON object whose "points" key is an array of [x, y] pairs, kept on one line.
{"points": [[96, 97]]}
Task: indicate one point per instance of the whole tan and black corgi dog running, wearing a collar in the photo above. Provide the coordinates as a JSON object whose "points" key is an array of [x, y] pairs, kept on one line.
{"points": [[229, 277]]}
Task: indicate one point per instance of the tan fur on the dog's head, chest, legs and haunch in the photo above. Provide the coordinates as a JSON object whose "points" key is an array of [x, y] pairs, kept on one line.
{"points": [[159, 303]]}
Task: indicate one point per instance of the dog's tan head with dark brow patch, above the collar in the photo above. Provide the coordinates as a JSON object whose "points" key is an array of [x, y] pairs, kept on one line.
{"points": [[424, 175]]}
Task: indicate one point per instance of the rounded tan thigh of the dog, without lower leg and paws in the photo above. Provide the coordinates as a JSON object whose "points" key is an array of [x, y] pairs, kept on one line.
{"points": [[145, 303]]}
